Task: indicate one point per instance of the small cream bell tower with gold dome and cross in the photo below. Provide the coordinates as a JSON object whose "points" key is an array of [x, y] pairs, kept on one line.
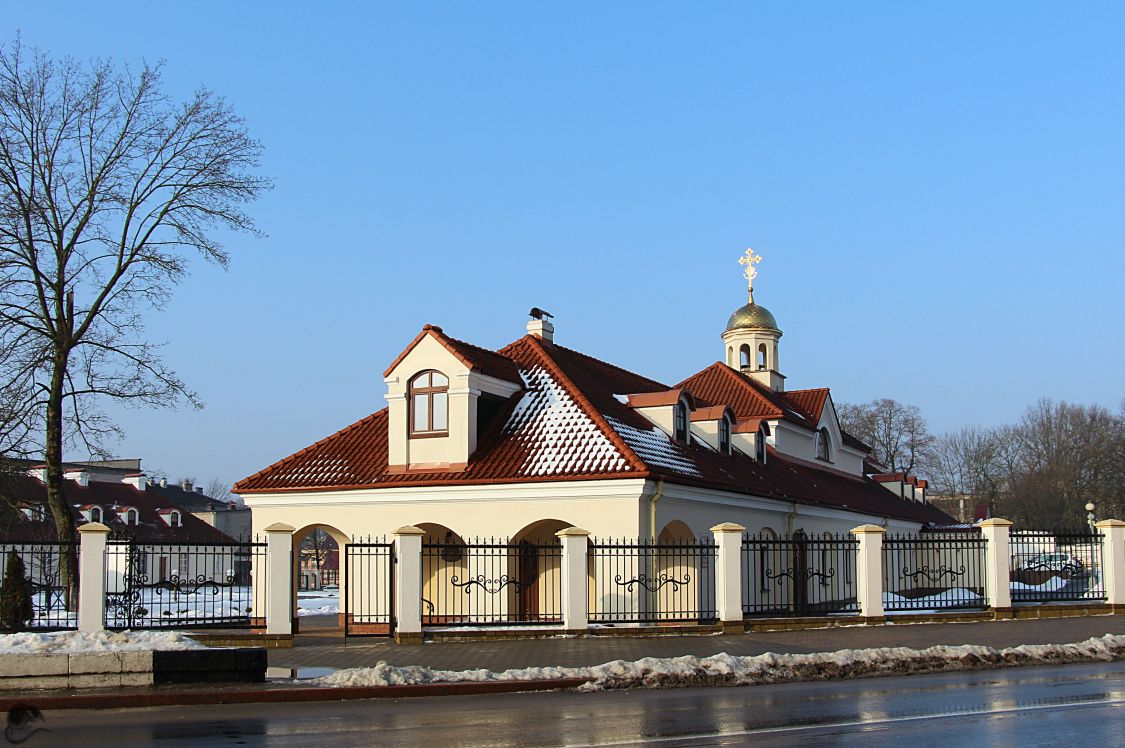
{"points": [[752, 336]]}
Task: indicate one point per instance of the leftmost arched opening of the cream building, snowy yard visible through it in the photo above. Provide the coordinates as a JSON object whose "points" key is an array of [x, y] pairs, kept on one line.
{"points": [[319, 579]]}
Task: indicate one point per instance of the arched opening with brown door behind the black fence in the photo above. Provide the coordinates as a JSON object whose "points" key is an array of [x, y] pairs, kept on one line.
{"points": [[536, 563]]}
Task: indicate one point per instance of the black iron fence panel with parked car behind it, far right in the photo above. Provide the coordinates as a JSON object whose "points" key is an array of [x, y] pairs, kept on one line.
{"points": [[1049, 567]]}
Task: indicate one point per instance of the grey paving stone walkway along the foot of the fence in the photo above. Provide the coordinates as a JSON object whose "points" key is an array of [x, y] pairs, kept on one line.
{"points": [[323, 648]]}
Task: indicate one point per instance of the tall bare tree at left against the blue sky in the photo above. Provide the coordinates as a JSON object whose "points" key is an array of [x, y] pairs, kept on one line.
{"points": [[107, 186]]}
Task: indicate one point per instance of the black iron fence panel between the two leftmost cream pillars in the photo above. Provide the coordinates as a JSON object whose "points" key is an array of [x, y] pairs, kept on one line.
{"points": [[185, 584]]}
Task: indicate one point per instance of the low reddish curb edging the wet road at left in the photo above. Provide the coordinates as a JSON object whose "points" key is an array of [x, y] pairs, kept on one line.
{"points": [[134, 700]]}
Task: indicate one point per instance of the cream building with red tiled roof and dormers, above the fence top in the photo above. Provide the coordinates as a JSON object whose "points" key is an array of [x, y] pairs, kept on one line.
{"points": [[536, 437]]}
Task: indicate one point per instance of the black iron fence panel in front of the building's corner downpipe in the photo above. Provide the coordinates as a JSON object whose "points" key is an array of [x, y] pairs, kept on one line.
{"points": [[647, 582]]}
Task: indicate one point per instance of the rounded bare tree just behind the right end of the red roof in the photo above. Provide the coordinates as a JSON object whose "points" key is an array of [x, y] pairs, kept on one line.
{"points": [[896, 432]]}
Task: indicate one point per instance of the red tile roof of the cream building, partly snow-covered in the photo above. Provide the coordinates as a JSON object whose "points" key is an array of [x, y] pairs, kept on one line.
{"points": [[570, 423]]}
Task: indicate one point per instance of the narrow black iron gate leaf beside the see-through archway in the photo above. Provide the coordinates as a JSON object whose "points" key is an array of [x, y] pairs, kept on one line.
{"points": [[370, 603]]}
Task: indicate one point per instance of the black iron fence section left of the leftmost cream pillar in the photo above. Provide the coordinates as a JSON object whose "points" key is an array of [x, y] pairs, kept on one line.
{"points": [[53, 609]]}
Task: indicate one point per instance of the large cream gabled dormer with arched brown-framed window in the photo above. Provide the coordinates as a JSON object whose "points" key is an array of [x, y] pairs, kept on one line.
{"points": [[442, 395]]}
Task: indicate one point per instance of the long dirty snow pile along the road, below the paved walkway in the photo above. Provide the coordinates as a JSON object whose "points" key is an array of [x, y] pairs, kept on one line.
{"points": [[727, 671]]}
